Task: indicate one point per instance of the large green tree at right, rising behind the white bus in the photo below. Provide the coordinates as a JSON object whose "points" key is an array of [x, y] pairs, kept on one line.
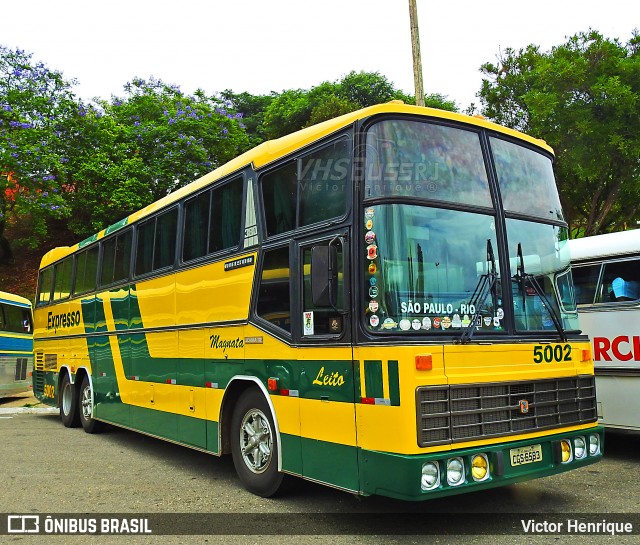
{"points": [[583, 98]]}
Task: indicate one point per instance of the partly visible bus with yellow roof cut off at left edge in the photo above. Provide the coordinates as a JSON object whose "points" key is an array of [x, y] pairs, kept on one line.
{"points": [[16, 344]]}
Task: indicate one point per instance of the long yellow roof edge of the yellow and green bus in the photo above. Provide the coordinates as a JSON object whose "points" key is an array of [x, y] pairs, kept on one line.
{"points": [[272, 150]]}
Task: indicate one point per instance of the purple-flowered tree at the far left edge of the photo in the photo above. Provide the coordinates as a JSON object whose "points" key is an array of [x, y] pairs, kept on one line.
{"points": [[35, 106]]}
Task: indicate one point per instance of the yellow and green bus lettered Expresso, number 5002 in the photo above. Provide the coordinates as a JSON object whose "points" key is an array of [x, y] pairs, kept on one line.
{"points": [[381, 303]]}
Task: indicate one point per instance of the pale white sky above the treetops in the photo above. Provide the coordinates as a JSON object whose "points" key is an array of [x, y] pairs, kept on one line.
{"points": [[261, 46]]}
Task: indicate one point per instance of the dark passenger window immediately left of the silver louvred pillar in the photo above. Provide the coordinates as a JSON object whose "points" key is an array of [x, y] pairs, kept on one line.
{"points": [[226, 216]]}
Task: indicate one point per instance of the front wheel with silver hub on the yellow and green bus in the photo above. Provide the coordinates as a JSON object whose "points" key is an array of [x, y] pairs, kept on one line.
{"points": [[255, 446]]}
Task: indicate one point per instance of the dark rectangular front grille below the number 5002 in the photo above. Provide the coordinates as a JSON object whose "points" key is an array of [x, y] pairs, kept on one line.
{"points": [[449, 414]]}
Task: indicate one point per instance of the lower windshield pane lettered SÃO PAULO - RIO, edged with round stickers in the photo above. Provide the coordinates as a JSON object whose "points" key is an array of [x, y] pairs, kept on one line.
{"points": [[424, 265]]}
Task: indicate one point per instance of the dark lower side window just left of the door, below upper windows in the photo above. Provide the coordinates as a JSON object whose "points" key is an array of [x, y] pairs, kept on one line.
{"points": [[274, 304]]}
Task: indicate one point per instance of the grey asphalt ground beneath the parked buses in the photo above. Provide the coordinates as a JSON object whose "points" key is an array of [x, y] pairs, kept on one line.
{"points": [[49, 469]]}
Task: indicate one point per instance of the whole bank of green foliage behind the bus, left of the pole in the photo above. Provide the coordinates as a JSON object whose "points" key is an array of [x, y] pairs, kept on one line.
{"points": [[89, 165]]}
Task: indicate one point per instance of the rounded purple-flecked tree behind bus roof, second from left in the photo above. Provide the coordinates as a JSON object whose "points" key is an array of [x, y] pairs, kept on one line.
{"points": [[135, 149]]}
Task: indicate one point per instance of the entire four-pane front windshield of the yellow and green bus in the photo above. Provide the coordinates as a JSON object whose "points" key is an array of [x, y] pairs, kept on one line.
{"points": [[426, 262]]}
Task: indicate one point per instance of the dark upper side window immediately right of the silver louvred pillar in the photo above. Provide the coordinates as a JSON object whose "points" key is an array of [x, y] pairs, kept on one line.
{"points": [[279, 194]]}
